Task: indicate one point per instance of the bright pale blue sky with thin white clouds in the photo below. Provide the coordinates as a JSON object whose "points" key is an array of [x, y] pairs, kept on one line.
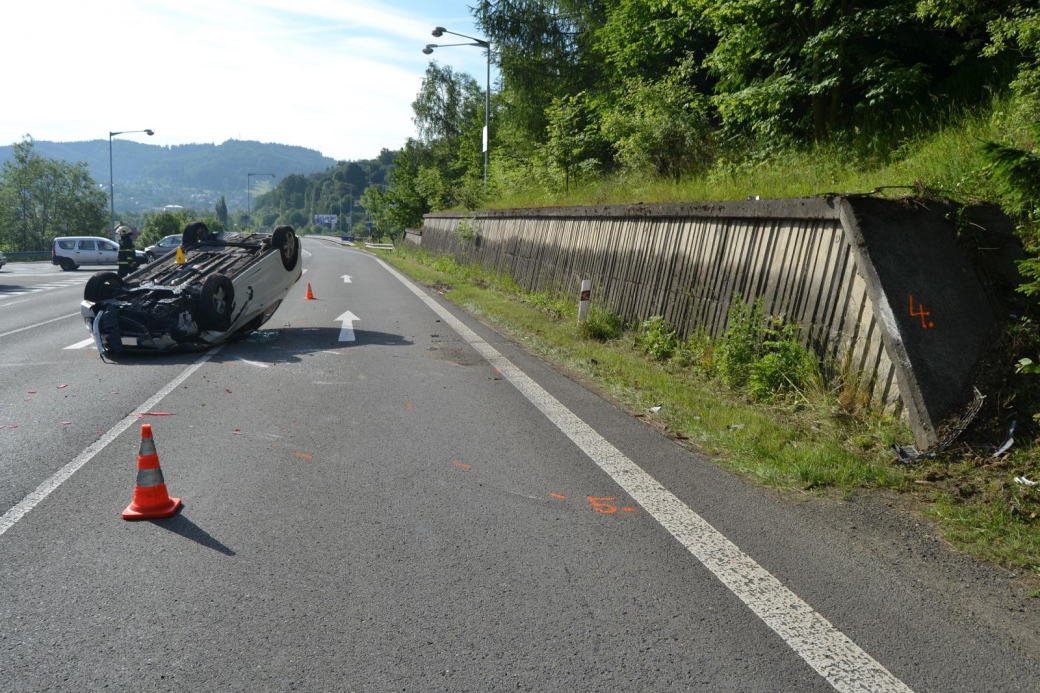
{"points": [[339, 76]]}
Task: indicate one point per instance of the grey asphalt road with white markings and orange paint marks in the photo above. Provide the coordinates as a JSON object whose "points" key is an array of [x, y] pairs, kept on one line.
{"points": [[406, 501]]}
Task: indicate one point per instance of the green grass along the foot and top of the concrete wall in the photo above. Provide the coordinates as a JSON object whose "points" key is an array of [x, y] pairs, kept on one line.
{"points": [[815, 441]]}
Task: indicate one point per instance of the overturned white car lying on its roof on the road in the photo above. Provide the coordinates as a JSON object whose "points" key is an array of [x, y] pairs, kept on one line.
{"points": [[221, 288]]}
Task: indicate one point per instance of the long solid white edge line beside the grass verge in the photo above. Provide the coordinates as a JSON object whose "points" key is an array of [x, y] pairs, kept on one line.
{"points": [[828, 651]]}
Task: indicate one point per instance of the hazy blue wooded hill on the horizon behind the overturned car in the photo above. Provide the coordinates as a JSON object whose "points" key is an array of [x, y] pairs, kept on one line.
{"points": [[150, 176]]}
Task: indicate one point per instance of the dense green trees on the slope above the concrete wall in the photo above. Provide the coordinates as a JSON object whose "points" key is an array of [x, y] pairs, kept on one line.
{"points": [[607, 95]]}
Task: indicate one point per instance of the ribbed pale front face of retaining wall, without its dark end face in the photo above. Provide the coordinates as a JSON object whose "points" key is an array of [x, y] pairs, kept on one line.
{"points": [[804, 259]]}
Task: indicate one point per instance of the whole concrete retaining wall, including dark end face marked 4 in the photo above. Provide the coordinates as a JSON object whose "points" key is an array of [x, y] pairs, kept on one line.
{"points": [[879, 287]]}
